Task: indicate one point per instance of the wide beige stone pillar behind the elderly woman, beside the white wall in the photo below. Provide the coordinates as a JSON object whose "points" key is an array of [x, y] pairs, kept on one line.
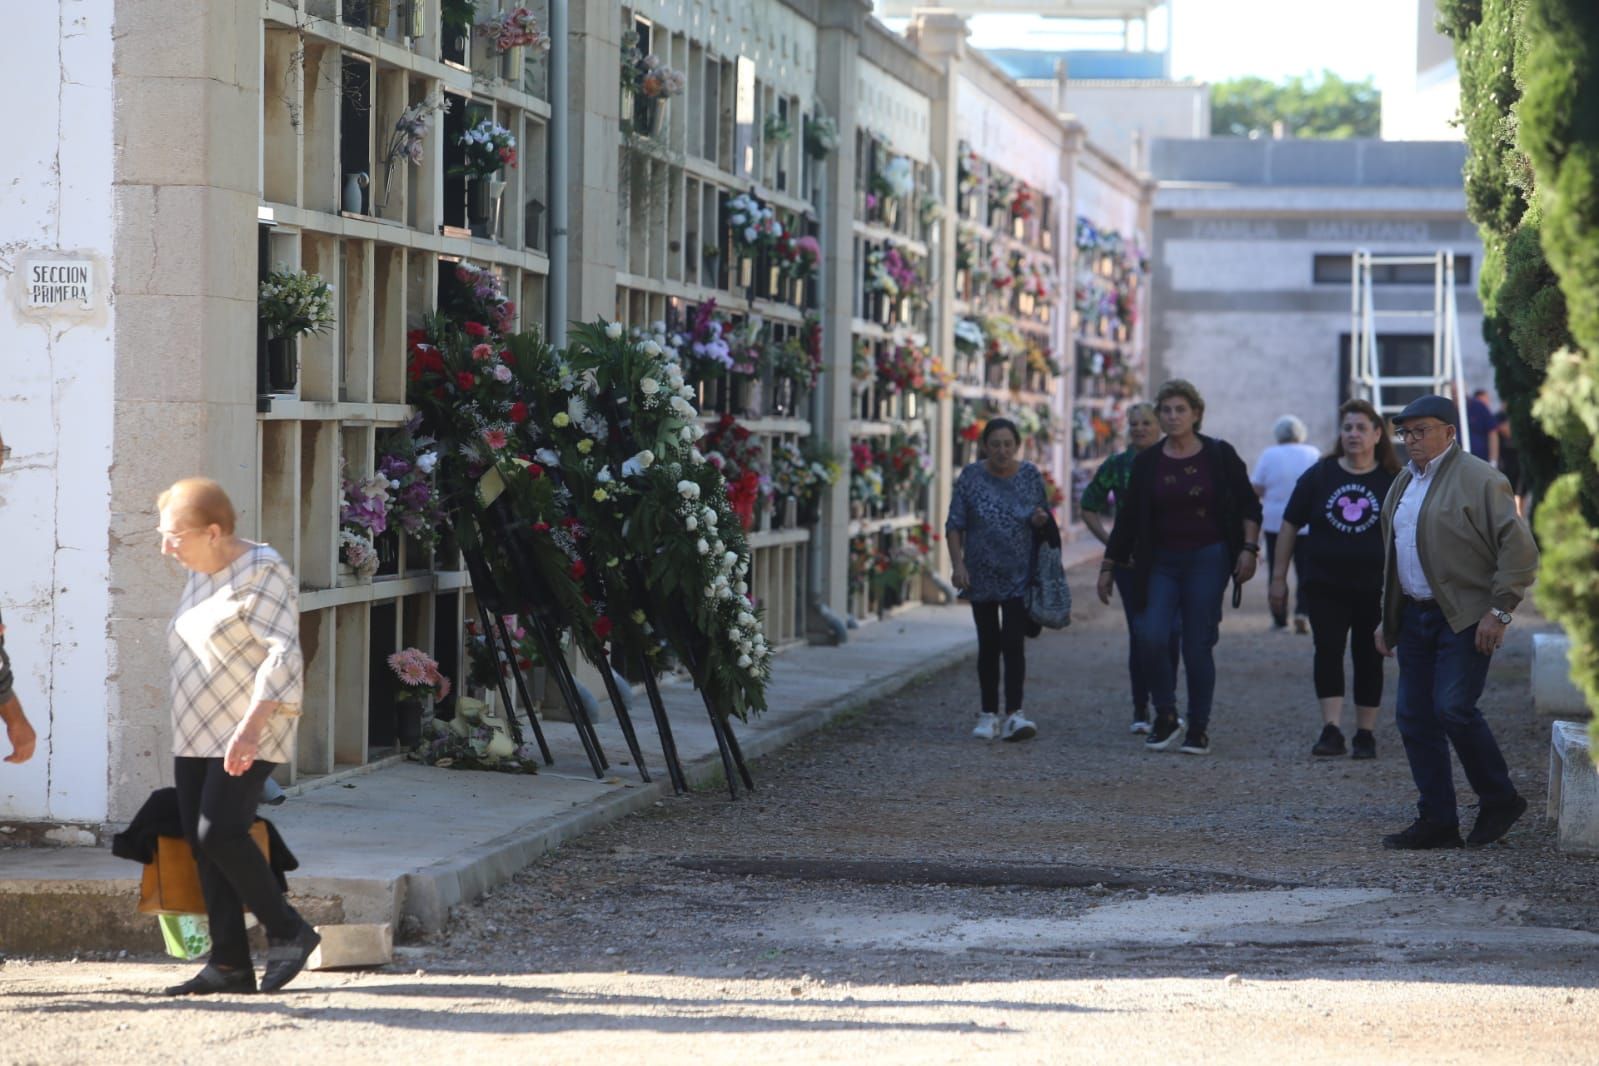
{"points": [[188, 183]]}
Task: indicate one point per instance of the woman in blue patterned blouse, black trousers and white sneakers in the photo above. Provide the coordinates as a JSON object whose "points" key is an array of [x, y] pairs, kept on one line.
{"points": [[994, 511]]}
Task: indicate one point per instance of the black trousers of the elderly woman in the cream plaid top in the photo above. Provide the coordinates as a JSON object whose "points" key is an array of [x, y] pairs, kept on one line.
{"points": [[218, 811]]}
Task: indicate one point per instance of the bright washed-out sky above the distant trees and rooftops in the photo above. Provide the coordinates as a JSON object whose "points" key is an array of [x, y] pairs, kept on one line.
{"points": [[1226, 39]]}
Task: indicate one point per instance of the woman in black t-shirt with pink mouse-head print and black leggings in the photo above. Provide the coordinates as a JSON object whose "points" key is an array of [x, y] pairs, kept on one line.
{"points": [[1342, 570]]}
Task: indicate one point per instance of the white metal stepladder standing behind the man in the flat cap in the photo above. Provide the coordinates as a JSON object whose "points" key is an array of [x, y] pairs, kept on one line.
{"points": [[1368, 380]]}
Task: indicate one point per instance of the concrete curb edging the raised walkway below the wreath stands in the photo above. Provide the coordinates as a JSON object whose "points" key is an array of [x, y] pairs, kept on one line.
{"points": [[429, 894]]}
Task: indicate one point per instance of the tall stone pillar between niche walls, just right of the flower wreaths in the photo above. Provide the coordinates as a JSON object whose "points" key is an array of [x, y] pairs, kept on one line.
{"points": [[840, 25]]}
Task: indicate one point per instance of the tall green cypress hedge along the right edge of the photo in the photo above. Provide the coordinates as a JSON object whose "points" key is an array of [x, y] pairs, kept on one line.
{"points": [[1529, 100]]}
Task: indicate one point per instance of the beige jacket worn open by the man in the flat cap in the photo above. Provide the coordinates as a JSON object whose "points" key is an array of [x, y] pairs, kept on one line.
{"points": [[1477, 551]]}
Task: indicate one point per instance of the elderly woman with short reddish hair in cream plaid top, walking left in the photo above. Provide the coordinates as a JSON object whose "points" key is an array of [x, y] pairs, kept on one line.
{"points": [[237, 682]]}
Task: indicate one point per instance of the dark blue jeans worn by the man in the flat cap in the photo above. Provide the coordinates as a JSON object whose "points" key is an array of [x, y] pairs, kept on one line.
{"points": [[1441, 677]]}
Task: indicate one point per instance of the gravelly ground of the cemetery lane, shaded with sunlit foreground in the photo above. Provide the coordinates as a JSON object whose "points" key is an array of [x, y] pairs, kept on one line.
{"points": [[901, 891]]}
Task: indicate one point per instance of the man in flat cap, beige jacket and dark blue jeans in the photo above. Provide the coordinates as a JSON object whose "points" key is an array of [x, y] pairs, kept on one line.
{"points": [[1459, 563]]}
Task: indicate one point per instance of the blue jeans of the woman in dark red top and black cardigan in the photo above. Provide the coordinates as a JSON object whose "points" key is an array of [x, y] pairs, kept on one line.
{"points": [[1186, 594]]}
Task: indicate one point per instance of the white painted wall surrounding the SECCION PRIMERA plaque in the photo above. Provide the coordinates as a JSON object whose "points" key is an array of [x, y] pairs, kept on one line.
{"points": [[57, 404]]}
